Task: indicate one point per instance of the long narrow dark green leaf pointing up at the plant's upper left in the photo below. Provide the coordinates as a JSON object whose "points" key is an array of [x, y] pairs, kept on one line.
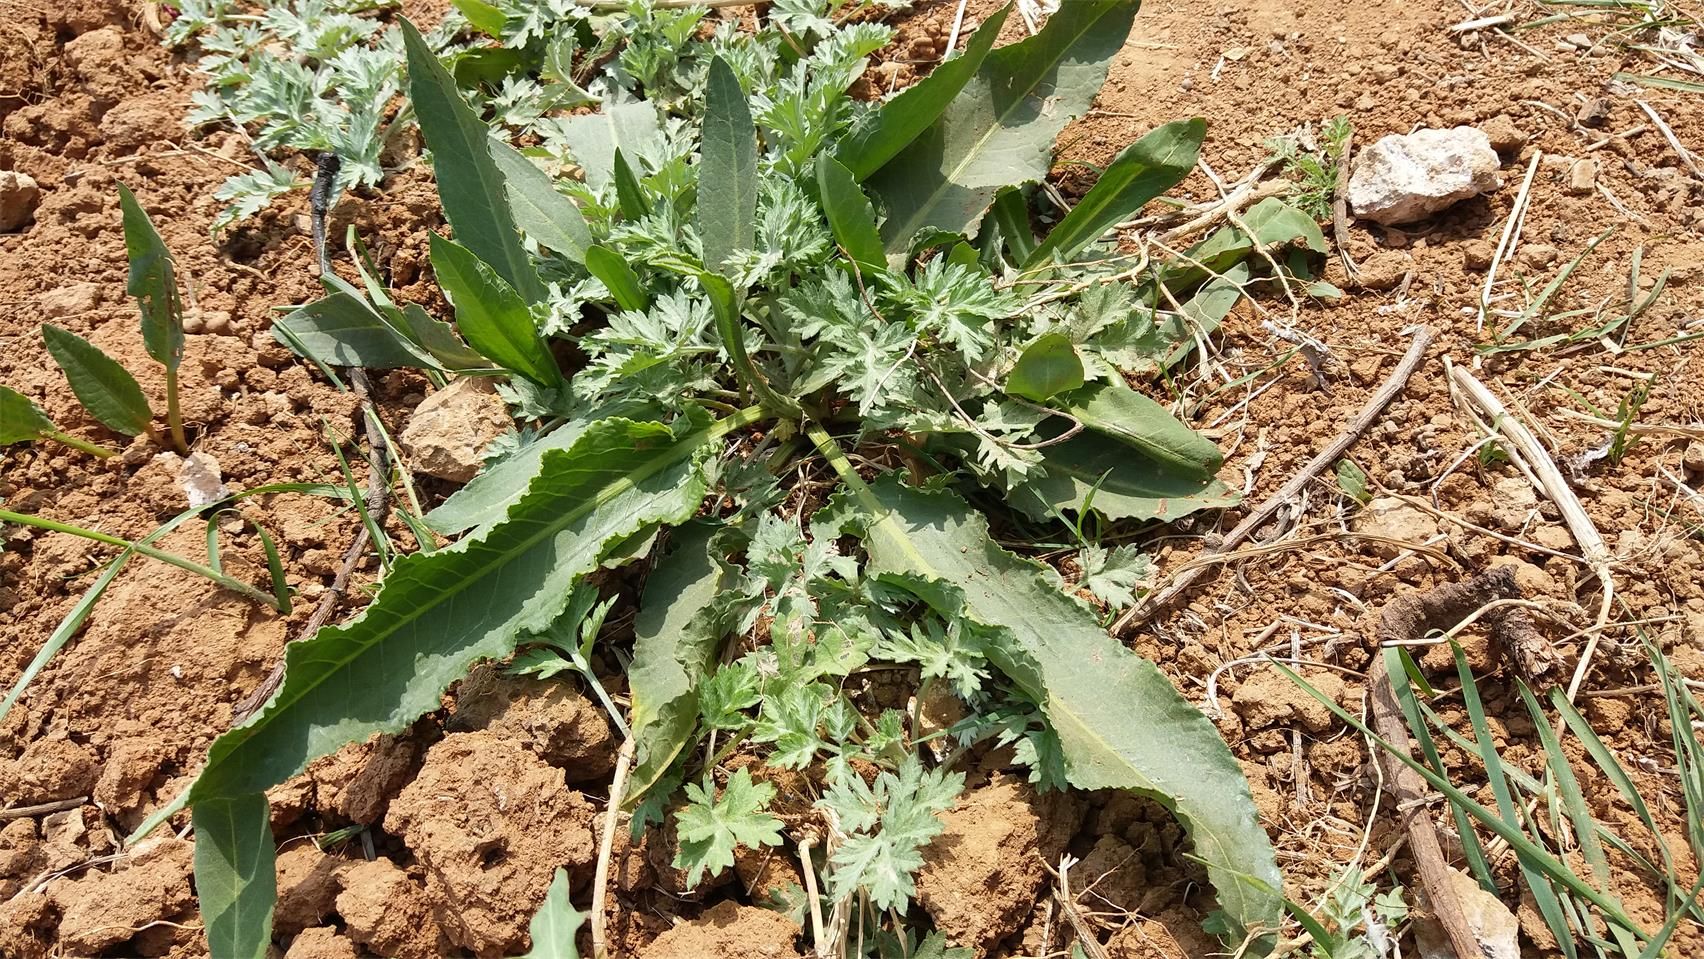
{"points": [[469, 183]]}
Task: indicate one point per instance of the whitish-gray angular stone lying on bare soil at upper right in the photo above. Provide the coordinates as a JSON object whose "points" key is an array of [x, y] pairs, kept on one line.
{"points": [[1407, 178]]}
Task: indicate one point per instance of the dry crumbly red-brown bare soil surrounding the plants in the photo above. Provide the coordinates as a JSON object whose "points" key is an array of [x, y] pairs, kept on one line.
{"points": [[471, 812]]}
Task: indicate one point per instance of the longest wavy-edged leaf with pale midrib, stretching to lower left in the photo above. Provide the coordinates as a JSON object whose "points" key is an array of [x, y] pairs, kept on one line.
{"points": [[439, 614]]}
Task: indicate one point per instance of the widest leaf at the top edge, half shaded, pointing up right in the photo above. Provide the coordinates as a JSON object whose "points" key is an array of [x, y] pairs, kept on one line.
{"points": [[999, 130]]}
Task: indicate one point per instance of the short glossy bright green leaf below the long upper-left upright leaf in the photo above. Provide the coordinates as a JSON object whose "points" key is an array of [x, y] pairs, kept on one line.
{"points": [[492, 314]]}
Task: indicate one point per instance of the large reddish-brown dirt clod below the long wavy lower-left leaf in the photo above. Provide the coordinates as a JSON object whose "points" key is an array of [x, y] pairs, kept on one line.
{"points": [[490, 822]]}
